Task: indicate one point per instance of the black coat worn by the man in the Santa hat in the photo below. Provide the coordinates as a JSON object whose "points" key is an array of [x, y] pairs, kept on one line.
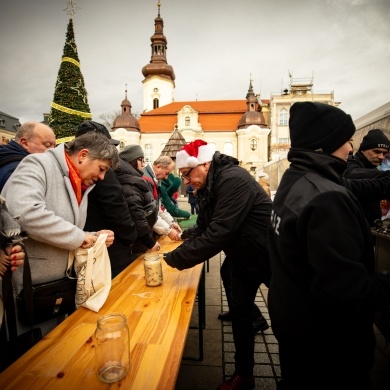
{"points": [[234, 213]]}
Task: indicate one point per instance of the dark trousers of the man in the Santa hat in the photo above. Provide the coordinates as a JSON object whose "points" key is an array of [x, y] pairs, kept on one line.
{"points": [[241, 288]]}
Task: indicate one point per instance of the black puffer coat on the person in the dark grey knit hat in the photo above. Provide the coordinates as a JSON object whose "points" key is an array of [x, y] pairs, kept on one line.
{"points": [[138, 194]]}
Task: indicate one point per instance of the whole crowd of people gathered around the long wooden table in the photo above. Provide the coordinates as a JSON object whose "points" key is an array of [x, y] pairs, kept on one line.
{"points": [[311, 245]]}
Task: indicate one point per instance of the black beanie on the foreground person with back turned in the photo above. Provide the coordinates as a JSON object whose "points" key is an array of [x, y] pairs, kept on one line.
{"points": [[319, 126]]}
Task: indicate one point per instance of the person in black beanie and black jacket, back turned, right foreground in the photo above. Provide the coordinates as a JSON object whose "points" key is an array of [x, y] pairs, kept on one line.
{"points": [[324, 290]]}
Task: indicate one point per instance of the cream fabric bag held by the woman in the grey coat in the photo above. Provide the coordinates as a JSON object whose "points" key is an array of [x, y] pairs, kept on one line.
{"points": [[93, 272]]}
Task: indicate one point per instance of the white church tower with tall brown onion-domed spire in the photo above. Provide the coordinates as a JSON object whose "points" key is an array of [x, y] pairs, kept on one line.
{"points": [[159, 82]]}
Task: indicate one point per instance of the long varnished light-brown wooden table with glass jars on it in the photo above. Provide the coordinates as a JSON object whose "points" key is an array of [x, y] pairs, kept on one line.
{"points": [[158, 320]]}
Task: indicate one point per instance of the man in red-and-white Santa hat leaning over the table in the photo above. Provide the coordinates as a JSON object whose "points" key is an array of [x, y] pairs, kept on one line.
{"points": [[234, 212]]}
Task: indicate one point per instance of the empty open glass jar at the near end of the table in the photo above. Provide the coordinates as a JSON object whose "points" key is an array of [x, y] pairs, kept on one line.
{"points": [[112, 348]]}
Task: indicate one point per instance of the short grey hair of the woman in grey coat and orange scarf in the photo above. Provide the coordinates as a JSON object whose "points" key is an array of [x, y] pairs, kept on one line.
{"points": [[98, 145]]}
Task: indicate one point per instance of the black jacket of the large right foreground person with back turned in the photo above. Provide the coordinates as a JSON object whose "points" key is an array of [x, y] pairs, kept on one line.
{"points": [[323, 291]]}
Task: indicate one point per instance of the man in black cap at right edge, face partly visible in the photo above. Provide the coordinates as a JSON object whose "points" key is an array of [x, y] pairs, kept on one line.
{"points": [[363, 165]]}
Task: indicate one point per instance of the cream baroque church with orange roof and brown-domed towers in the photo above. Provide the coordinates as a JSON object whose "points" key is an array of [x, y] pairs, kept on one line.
{"points": [[235, 127]]}
